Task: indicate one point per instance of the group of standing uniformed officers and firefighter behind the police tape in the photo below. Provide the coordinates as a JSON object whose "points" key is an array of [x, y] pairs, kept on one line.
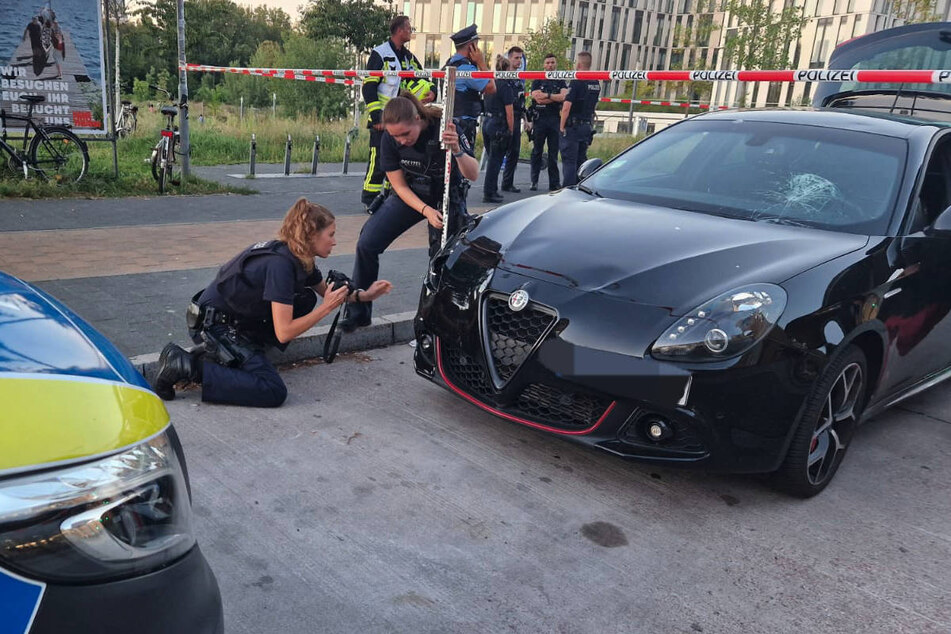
{"points": [[560, 115]]}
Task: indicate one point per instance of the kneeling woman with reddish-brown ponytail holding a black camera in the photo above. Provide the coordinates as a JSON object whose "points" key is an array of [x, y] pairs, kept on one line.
{"points": [[265, 296]]}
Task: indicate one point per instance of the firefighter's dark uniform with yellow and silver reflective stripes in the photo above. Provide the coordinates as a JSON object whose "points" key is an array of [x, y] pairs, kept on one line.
{"points": [[376, 92]]}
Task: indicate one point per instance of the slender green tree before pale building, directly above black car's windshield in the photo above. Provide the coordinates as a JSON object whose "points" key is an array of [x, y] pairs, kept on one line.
{"points": [[762, 39]]}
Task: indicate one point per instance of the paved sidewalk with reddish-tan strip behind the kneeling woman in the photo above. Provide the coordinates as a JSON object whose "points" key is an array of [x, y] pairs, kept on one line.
{"points": [[130, 265]]}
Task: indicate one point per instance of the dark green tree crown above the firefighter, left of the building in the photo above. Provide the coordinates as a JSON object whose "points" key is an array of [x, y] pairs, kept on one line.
{"points": [[361, 24]]}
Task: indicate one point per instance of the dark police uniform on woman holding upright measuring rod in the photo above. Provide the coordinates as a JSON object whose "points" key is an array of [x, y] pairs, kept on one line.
{"points": [[423, 165]]}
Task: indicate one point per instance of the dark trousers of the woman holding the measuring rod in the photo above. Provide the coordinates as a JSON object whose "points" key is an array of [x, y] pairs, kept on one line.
{"points": [[391, 221]]}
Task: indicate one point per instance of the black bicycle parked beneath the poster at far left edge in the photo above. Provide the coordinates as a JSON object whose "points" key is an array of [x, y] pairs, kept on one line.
{"points": [[54, 152]]}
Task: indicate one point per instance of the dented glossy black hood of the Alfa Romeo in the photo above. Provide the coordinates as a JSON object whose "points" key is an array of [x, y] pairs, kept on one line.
{"points": [[650, 255]]}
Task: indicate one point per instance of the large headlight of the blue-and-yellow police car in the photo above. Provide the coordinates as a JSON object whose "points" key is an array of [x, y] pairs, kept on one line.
{"points": [[119, 516]]}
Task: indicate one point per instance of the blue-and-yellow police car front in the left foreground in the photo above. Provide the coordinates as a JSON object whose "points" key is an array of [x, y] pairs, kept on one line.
{"points": [[95, 513]]}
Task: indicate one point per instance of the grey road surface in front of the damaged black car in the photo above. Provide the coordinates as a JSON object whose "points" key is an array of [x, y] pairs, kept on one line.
{"points": [[373, 501]]}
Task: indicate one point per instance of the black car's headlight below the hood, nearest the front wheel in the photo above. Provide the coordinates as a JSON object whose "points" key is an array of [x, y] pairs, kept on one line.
{"points": [[724, 327]]}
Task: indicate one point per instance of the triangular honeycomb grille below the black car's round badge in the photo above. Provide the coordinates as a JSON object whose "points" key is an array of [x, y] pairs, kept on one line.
{"points": [[512, 335]]}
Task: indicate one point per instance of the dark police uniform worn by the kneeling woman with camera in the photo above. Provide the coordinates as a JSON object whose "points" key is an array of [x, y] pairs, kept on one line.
{"points": [[235, 326]]}
